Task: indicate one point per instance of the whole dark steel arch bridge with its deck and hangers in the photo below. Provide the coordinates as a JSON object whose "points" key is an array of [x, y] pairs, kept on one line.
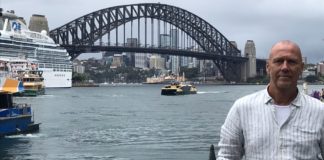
{"points": [[81, 35]]}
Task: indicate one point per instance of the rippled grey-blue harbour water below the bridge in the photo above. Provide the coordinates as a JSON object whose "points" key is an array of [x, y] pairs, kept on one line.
{"points": [[125, 123]]}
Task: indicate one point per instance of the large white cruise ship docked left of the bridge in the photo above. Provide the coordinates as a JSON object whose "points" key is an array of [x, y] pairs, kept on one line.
{"points": [[17, 40]]}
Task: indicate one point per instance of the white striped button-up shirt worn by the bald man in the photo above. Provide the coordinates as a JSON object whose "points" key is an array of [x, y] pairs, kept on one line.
{"points": [[251, 131]]}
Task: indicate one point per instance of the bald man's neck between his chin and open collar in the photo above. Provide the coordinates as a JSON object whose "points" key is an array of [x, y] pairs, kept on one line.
{"points": [[282, 96]]}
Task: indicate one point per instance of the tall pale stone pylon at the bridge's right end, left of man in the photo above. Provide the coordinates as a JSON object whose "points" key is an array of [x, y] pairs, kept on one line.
{"points": [[250, 53]]}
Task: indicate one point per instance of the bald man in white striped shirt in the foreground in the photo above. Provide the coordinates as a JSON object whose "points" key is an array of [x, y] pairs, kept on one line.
{"points": [[279, 122]]}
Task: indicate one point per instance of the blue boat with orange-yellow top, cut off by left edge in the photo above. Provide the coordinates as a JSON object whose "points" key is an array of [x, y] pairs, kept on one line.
{"points": [[14, 118]]}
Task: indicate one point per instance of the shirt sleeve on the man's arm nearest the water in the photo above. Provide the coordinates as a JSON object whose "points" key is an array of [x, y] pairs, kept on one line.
{"points": [[231, 144]]}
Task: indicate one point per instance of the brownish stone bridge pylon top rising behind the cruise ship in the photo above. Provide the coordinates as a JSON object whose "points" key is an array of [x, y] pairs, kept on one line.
{"points": [[38, 23]]}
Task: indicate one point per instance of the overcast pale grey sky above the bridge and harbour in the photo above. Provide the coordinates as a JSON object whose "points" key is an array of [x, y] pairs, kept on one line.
{"points": [[263, 21]]}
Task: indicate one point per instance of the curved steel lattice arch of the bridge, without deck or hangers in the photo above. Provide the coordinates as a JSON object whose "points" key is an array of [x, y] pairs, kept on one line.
{"points": [[88, 29]]}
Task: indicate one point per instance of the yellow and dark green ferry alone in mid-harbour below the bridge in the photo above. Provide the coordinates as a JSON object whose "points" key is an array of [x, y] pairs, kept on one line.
{"points": [[177, 88]]}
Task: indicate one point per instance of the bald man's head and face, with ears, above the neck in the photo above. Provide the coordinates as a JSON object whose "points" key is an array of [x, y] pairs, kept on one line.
{"points": [[284, 66]]}
